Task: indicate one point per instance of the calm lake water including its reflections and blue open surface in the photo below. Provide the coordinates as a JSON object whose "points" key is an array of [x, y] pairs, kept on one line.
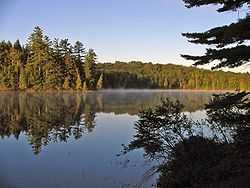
{"points": [[71, 139]]}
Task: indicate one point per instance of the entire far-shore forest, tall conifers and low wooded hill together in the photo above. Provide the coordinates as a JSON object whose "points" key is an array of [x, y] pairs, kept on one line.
{"points": [[45, 64]]}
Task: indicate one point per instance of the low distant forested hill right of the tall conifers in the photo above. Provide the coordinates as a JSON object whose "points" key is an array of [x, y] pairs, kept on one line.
{"points": [[147, 75]]}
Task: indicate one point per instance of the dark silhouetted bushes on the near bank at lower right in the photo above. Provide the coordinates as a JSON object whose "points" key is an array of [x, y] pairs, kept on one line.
{"points": [[188, 159]]}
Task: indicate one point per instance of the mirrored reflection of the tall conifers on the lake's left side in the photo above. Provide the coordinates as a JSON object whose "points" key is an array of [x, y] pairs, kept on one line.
{"points": [[45, 118]]}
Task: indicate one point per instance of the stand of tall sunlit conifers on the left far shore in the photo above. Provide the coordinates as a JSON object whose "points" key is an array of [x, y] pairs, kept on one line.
{"points": [[42, 64]]}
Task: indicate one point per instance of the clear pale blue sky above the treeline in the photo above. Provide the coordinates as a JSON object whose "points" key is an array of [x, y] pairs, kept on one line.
{"points": [[147, 30]]}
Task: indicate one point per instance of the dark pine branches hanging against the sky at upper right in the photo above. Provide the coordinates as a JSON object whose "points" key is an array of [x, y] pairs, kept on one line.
{"points": [[235, 33]]}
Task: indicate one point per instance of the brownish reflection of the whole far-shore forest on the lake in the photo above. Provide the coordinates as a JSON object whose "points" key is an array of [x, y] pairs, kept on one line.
{"points": [[55, 117]]}
